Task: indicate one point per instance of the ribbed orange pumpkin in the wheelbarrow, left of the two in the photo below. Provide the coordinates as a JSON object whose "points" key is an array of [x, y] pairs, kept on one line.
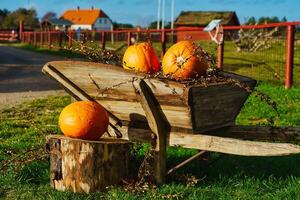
{"points": [[141, 57]]}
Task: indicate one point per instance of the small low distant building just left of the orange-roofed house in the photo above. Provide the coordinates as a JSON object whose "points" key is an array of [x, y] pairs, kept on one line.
{"points": [[55, 24]]}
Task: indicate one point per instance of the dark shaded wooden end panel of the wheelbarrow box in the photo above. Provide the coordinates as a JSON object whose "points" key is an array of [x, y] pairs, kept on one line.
{"points": [[216, 106]]}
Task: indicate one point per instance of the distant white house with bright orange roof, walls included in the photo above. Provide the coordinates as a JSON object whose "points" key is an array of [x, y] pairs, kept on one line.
{"points": [[88, 19]]}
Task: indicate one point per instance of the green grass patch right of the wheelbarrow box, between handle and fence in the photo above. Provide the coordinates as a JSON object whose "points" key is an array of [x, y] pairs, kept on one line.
{"points": [[258, 112]]}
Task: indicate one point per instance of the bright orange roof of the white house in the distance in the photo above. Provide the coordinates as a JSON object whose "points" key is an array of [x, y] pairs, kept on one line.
{"points": [[83, 16]]}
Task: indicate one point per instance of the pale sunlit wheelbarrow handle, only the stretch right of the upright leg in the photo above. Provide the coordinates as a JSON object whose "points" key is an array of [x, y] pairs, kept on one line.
{"points": [[232, 146]]}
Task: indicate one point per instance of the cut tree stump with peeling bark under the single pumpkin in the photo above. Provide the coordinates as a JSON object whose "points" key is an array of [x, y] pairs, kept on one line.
{"points": [[87, 166]]}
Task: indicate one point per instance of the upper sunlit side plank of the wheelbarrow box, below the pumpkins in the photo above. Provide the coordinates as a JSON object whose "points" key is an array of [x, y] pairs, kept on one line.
{"points": [[116, 83]]}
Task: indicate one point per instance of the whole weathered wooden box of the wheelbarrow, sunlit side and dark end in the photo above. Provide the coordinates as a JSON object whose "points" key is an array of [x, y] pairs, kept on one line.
{"points": [[196, 108]]}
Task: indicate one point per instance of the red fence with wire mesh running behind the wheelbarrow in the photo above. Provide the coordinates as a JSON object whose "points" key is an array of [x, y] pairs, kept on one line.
{"points": [[275, 57]]}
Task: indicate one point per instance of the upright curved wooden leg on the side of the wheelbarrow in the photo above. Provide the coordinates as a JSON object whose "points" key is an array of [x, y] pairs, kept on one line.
{"points": [[159, 126]]}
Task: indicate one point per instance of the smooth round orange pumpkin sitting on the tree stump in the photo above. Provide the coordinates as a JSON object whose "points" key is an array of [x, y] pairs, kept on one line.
{"points": [[84, 119]]}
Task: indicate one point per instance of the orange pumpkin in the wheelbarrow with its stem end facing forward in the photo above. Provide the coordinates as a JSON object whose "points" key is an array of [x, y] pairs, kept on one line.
{"points": [[181, 61]]}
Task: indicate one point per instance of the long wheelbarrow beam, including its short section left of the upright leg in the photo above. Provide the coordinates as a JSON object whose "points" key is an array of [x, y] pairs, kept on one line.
{"points": [[215, 143]]}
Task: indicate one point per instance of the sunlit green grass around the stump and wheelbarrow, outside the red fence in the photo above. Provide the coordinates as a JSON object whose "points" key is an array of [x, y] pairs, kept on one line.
{"points": [[26, 173]]}
